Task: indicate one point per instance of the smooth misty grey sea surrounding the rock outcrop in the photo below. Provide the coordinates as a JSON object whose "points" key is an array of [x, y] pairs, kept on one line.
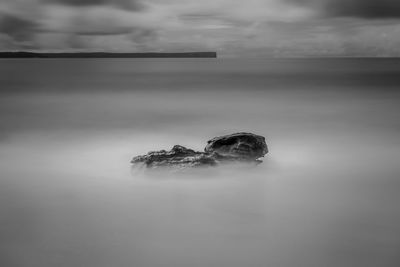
{"points": [[327, 194]]}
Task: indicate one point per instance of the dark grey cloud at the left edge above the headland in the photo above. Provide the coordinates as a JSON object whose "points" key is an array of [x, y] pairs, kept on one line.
{"points": [[18, 28]]}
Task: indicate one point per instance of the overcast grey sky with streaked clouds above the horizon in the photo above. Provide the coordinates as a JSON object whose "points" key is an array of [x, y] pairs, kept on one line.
{"points": [[233, 28]]}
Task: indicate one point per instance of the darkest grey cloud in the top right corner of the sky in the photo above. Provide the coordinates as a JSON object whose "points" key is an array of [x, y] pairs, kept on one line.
{"points": [[373, 9]]}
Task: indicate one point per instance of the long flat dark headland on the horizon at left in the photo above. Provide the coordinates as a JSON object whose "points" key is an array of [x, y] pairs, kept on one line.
{"points": [[108, 55]]}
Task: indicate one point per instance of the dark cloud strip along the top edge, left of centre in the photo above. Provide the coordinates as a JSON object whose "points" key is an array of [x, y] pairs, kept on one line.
{"points": [[126, 4]]}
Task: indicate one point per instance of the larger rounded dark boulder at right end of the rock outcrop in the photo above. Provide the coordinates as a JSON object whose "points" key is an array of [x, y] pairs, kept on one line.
{"points": [[243, 146]]}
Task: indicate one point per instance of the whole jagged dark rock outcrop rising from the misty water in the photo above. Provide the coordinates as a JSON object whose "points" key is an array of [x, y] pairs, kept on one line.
{"points": [[238, 147]]}
